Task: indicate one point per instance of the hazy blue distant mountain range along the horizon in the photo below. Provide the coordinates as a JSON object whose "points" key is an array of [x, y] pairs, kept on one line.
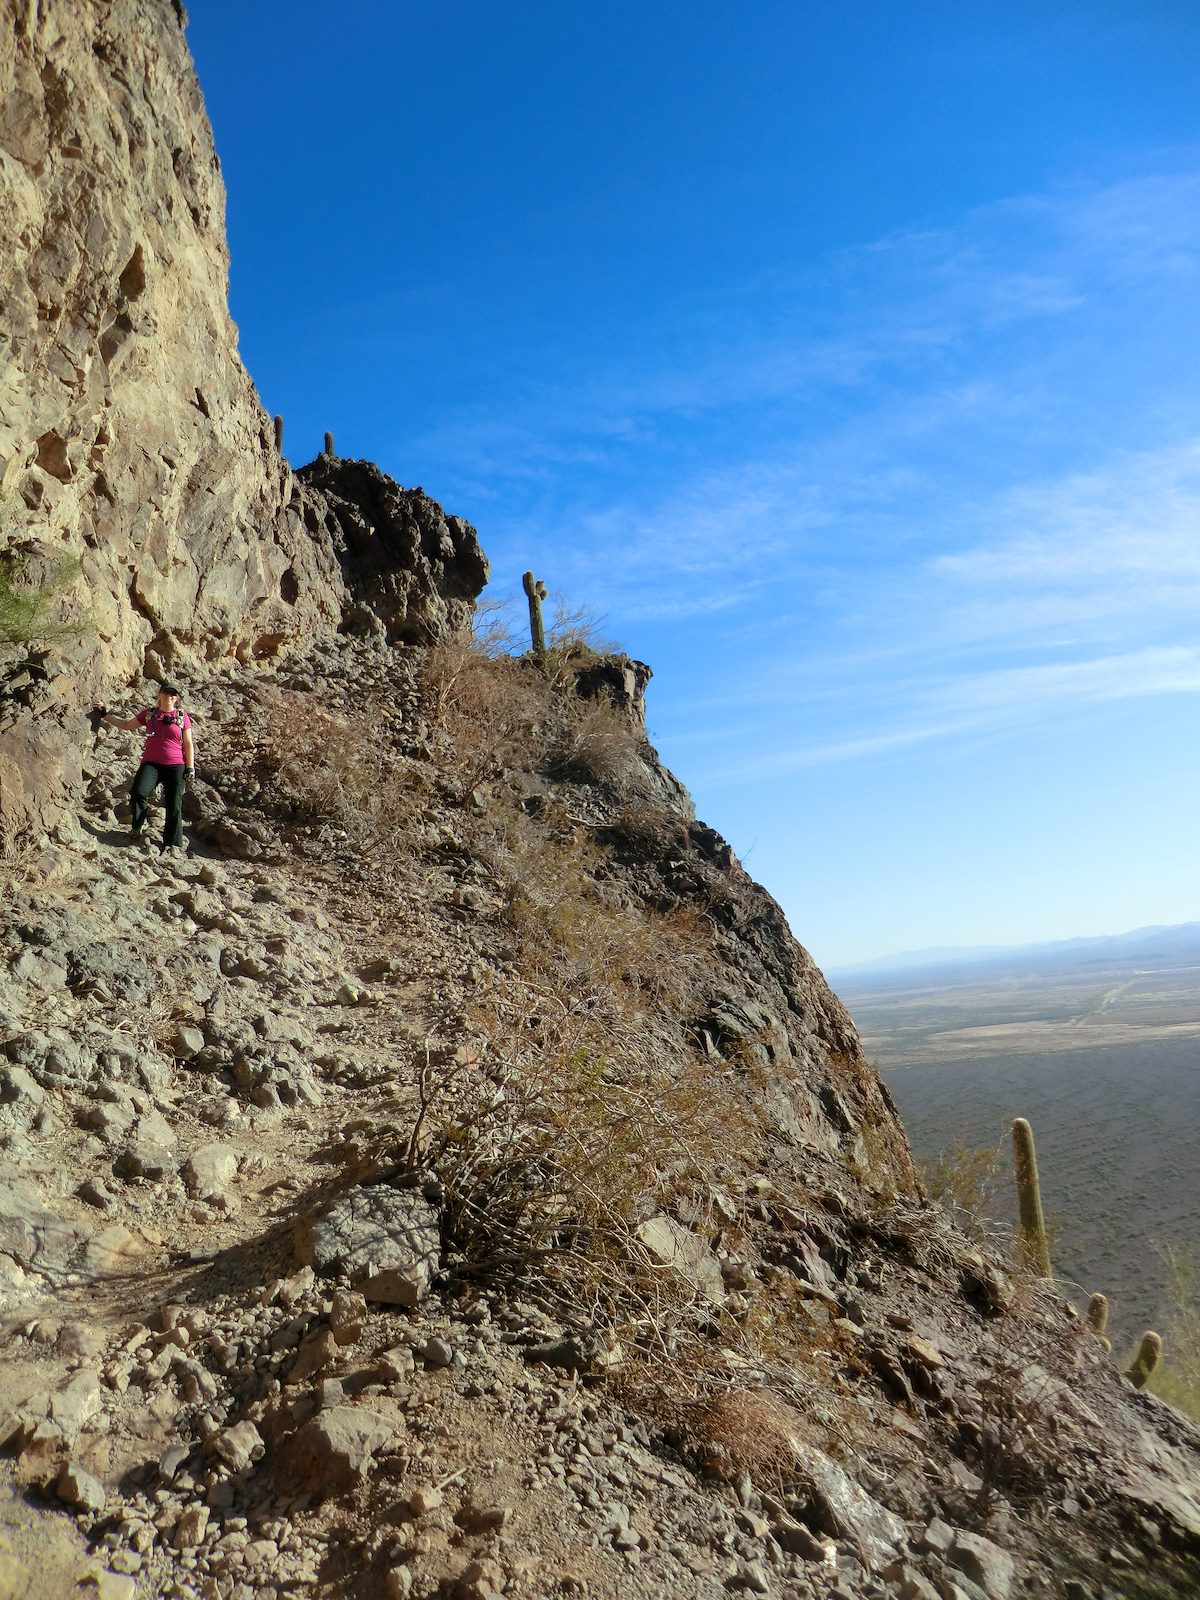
{"points": [[1162, 945]]}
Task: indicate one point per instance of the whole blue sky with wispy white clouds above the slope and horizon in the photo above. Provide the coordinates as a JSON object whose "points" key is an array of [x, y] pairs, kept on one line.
{"points": [[842, 356]]}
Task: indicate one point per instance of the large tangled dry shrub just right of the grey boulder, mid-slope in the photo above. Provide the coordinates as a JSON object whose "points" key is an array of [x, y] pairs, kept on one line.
{"points": [[558, 1143]]}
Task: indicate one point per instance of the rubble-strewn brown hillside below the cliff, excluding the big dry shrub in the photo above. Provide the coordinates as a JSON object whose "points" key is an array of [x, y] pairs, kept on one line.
{"points": [[247, 1353]]}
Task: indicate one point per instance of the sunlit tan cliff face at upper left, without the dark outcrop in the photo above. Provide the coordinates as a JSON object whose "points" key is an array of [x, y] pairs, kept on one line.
{"points": [[130, 433]]}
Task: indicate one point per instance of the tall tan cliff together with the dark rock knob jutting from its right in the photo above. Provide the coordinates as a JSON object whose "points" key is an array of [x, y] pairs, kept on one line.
{"points": [[135, 454]]}
